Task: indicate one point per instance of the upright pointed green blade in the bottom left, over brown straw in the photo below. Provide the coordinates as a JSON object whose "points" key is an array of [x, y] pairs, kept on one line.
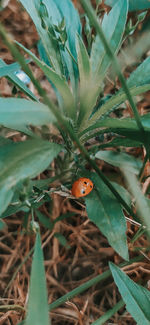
{"points": [[37, 310]]}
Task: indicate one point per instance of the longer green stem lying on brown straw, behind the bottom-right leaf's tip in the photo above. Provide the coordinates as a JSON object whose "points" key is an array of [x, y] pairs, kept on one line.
{"points": [[89, 284]]}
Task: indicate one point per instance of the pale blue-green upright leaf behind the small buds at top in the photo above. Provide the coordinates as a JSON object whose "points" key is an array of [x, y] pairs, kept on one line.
{"points": [[64, 18]]}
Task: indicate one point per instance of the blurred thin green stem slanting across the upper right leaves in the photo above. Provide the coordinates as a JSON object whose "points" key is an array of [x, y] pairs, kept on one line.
{"points": [[94, 22]]}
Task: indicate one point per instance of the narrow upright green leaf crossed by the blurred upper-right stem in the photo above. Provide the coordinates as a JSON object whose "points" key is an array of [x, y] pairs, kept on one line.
{"points": [[99, 60]]}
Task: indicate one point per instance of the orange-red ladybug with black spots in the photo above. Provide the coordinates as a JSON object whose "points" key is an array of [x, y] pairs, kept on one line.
{"points": [[82, 187]]}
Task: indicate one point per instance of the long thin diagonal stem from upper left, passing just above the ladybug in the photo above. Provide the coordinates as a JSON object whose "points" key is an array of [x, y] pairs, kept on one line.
{"points": [[63, 122]]}
